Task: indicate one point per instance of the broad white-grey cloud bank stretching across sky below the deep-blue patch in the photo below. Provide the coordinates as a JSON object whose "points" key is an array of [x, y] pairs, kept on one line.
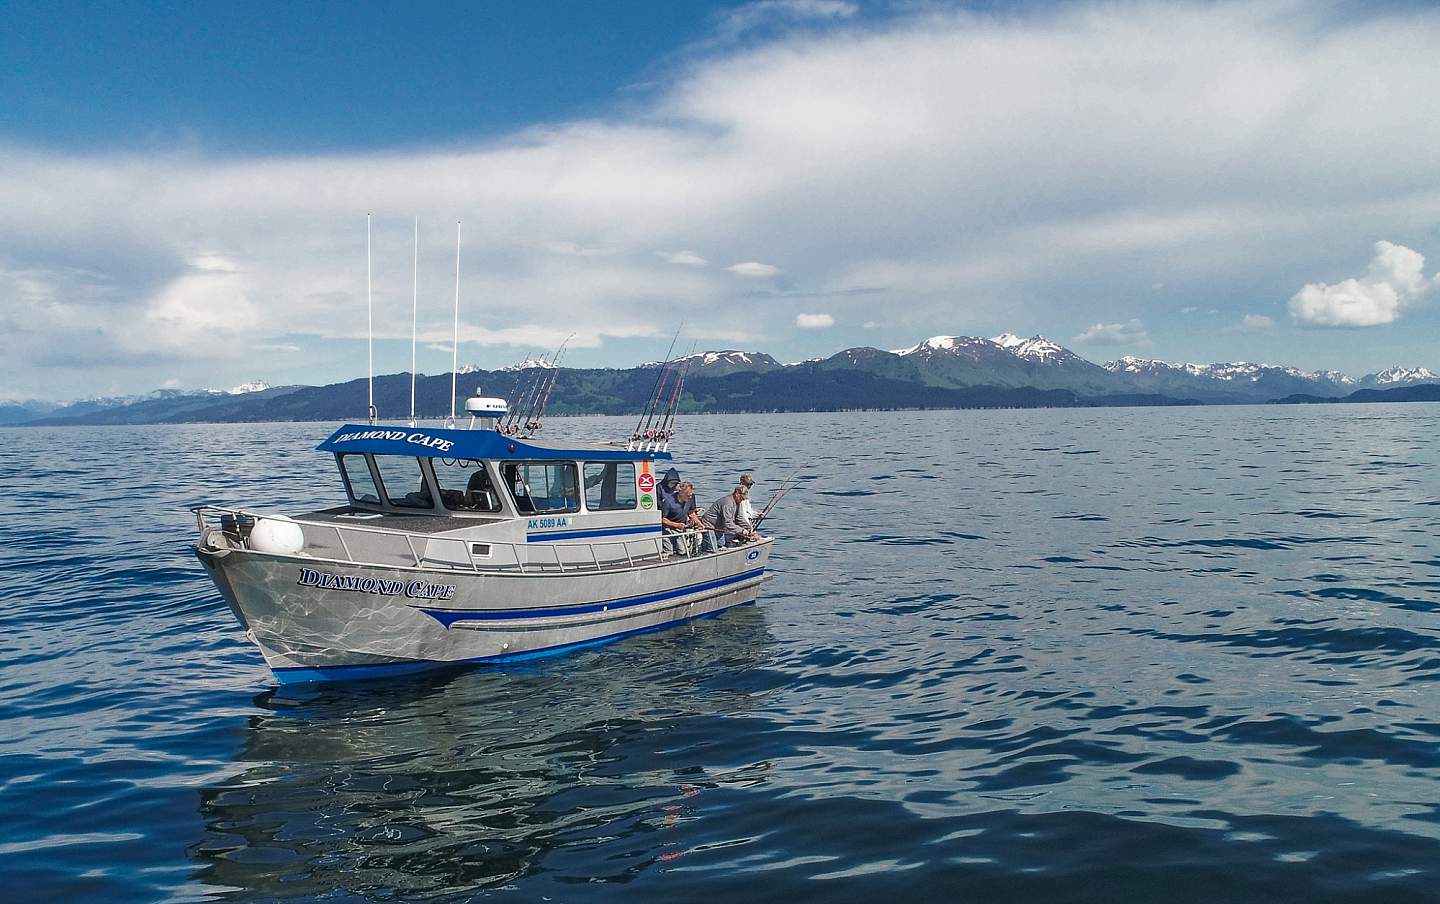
{"points": [[974, 172]]}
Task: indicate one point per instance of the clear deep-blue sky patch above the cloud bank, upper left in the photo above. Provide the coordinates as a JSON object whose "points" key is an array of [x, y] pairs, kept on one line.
{"points": [[253, 78]]}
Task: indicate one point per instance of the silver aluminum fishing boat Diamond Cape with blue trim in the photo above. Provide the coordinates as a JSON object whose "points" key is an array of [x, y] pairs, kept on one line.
{"points": [[473, 545]]}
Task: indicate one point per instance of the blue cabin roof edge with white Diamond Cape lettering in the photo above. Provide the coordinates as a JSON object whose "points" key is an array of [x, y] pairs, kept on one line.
{"points": [[449, 443]]}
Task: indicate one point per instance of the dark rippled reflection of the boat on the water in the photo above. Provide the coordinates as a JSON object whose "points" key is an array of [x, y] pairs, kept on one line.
{"points": [[454, 784]]}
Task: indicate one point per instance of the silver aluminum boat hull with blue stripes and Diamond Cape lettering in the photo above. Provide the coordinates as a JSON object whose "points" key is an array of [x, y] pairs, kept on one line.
{"points": [[333, 621]]}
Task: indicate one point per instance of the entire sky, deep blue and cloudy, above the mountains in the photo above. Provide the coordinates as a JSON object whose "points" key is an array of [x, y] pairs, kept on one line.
{"points": [[184, 186]]}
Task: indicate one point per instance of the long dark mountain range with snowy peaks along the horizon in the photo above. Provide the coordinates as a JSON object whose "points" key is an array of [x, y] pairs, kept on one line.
{"points": [[940, 372]]}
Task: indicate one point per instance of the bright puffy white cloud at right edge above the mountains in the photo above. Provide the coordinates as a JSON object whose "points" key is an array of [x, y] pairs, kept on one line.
{"points": [[1396, 280]]}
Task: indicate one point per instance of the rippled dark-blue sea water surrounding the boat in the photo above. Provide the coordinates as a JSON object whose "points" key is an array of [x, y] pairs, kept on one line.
{"points": [[1058, 656]]}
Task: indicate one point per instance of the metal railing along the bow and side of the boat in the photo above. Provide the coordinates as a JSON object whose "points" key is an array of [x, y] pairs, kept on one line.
{"points": [[381, 546]]}
